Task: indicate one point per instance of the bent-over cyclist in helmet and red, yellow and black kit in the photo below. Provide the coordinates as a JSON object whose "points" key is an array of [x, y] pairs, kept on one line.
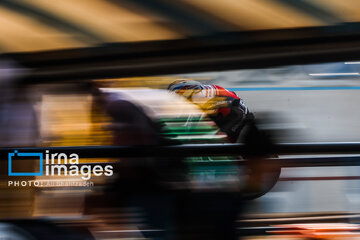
{"points": [[233, 117]]}
